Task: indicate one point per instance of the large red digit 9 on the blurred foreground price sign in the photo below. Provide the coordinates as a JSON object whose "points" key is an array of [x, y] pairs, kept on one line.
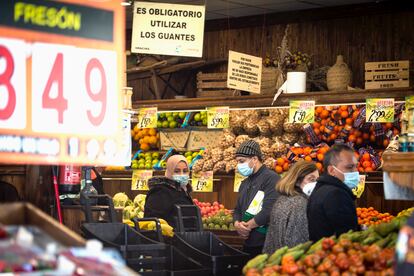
{"points": [[101, 95]]}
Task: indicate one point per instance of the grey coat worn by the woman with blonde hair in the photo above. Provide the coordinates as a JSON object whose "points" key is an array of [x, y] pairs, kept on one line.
{"points": [[288, 223]]}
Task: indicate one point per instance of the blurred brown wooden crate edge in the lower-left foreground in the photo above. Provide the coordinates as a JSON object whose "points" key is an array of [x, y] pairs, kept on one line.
{"points": [[26, 214]]}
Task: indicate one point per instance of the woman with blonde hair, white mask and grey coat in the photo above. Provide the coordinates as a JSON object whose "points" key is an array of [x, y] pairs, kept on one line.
{"points": [[288, 222]]}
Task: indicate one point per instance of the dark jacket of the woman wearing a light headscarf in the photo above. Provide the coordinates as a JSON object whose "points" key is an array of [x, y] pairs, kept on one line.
{"points": [[163, 194]]}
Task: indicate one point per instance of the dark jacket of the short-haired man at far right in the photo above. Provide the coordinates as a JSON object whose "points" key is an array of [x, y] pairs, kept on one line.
{"points": [[331, 209]]}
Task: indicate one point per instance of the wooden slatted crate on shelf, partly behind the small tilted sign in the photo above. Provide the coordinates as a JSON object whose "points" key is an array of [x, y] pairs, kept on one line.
{"points": [[213, 85]]}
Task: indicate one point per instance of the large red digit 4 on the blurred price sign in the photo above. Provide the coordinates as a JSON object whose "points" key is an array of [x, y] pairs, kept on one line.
{"points": [[56, 76]]}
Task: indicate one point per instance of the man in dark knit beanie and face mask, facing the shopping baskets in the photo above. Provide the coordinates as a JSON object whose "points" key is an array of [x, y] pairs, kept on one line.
{"points": [[257, 195]]}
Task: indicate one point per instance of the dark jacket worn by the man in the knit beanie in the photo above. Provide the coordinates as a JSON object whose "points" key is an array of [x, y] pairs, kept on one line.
{"points": [[263, 180]]}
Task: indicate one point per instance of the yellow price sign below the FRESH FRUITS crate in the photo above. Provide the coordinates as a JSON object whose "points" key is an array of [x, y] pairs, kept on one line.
{"points": [[380, 110]]}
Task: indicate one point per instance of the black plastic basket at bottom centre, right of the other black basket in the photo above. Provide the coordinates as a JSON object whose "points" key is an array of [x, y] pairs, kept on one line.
{"points": [[207, 249]]}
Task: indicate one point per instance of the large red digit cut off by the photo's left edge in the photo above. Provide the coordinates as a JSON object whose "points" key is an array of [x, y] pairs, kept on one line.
{"points": [[5, 79]]}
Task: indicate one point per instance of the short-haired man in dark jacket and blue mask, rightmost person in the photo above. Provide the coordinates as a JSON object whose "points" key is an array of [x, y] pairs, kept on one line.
{"points": [[331, 206]]}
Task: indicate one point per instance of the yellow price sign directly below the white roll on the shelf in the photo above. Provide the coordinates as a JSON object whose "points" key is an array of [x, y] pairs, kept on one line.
{"points": [[302, 112]]}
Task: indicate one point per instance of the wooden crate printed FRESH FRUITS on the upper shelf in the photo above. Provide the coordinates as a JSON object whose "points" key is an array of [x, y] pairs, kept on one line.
{"points": [[387, 74]]}
